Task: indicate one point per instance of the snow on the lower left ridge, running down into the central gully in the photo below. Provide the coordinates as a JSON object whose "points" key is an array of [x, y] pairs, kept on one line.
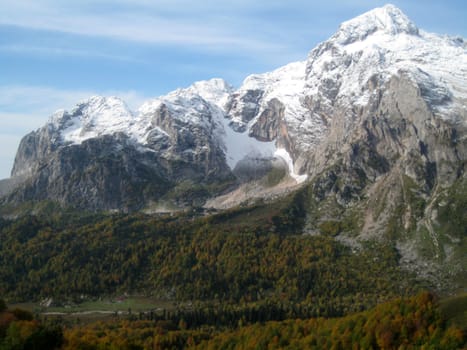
{"points": [[200, 105]]}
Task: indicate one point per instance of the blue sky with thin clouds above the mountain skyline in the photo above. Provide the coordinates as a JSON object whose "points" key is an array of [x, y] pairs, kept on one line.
{"points": [[54, 53]]}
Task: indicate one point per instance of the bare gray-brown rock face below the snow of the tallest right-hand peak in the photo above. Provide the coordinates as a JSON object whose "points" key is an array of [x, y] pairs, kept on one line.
{"points": [[396, 131]]}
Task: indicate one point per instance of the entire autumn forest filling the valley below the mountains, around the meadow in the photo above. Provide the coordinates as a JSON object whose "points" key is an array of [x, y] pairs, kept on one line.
{"points": [[243, 278]]}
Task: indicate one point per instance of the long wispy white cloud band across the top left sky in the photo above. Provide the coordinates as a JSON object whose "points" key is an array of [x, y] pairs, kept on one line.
{"points": [[153, 24]]}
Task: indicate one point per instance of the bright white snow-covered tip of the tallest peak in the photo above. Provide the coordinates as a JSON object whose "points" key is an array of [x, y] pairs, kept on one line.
{"points": [[388, 19]]}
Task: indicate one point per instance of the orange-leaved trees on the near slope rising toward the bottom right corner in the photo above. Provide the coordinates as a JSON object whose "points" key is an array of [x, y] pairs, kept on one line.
{"points": [[383, 327]]}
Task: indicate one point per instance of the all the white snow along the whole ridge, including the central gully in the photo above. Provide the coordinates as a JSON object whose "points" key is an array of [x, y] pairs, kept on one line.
{"points": [[367, 50]]}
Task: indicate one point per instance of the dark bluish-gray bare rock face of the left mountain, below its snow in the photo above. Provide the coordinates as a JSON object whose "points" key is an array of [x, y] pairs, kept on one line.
{"points": [[100, 173]]}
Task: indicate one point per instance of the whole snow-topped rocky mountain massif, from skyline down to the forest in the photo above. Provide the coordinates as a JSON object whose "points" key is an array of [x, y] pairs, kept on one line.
{"points": [[373, 124]]}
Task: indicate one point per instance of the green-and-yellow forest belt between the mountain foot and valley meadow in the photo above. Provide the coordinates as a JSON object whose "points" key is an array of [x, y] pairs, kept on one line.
{"points": [[196, 259]]}
